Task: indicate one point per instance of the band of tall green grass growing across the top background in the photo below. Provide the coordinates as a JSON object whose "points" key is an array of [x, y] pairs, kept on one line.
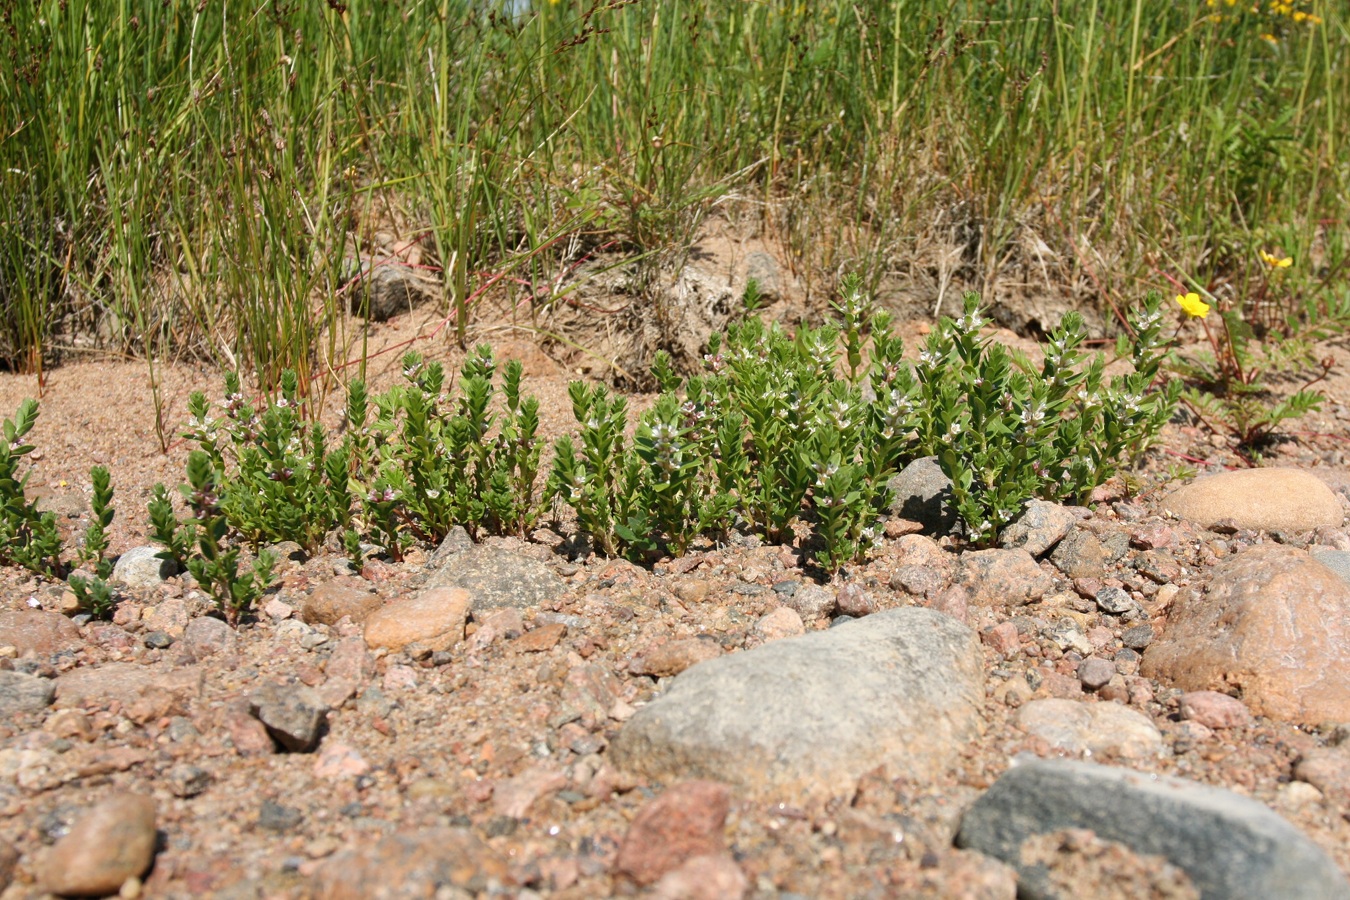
{"points": [[202, 179]]}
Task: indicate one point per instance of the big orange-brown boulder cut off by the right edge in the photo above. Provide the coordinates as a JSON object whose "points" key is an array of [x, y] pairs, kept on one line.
{"points": [[1274, 628]]}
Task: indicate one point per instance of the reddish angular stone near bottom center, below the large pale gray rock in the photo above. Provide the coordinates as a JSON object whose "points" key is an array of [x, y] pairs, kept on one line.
{"points": [[686, 821]]}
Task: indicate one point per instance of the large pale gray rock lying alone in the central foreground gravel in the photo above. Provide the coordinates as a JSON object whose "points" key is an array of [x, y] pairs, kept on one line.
{"points": [[809, 716]]}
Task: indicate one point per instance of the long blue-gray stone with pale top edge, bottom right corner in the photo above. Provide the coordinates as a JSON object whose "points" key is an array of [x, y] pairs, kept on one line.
{"points": [[1231, 847]]}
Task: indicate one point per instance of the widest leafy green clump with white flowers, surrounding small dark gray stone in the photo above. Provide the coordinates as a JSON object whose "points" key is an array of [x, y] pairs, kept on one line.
{"points": [[789, 432]]}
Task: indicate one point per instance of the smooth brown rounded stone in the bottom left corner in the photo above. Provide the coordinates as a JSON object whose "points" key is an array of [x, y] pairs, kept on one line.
{"points": [[110, 844]]}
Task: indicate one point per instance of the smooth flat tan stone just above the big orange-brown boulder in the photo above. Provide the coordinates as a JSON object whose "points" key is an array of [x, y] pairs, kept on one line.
{"points": [[1263, 500]]}
